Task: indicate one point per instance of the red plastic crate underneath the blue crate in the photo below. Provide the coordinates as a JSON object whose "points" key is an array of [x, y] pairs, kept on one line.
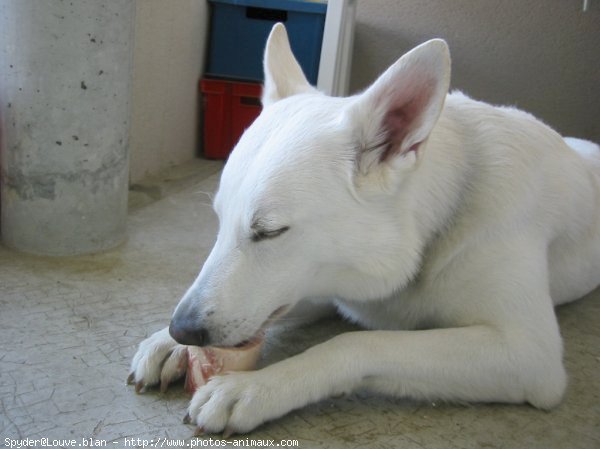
{"points": [[229, 108]]}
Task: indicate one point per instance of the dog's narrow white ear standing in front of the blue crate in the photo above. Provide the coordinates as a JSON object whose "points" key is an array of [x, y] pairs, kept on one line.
{"points": [[283, 75]]}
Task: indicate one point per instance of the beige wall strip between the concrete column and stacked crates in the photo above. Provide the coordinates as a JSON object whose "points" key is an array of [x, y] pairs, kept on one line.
{"points": [[170, 39]]}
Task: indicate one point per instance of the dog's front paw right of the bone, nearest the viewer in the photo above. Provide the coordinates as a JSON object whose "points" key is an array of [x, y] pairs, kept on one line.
{"points": [[236, 403]]}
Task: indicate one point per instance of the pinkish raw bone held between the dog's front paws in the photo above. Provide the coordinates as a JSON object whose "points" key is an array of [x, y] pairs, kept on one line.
{"points": [[206, 362]]}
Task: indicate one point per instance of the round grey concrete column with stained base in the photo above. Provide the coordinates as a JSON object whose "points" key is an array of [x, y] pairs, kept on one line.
{"points": [[65, 89]]}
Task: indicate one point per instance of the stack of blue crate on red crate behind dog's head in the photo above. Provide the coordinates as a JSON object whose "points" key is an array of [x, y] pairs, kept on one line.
{"points": [[233, 83]]}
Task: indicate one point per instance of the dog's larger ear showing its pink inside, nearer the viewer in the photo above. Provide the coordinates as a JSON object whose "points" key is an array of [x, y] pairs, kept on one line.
{"points": [[397, 113]]}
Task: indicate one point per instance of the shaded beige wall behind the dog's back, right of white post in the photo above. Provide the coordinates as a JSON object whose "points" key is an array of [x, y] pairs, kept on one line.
{"points": [[540, 55]]}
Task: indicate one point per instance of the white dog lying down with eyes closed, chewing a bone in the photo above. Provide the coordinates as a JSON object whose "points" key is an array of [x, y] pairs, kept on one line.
{"points": [[447, 226]]}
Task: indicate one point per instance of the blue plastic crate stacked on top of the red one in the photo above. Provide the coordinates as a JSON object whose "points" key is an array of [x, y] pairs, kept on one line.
{"points": [[239, 31]]}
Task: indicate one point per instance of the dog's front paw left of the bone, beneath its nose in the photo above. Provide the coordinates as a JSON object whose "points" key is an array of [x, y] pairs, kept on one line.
{"points": [[159, 359]]}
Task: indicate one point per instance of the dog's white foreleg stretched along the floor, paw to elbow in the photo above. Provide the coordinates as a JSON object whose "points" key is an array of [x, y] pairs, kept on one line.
{"points": [[474, 363]]}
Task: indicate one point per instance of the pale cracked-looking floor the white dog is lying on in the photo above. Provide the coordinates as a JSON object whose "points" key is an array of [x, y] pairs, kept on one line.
{"points": [[68, 329]]}
